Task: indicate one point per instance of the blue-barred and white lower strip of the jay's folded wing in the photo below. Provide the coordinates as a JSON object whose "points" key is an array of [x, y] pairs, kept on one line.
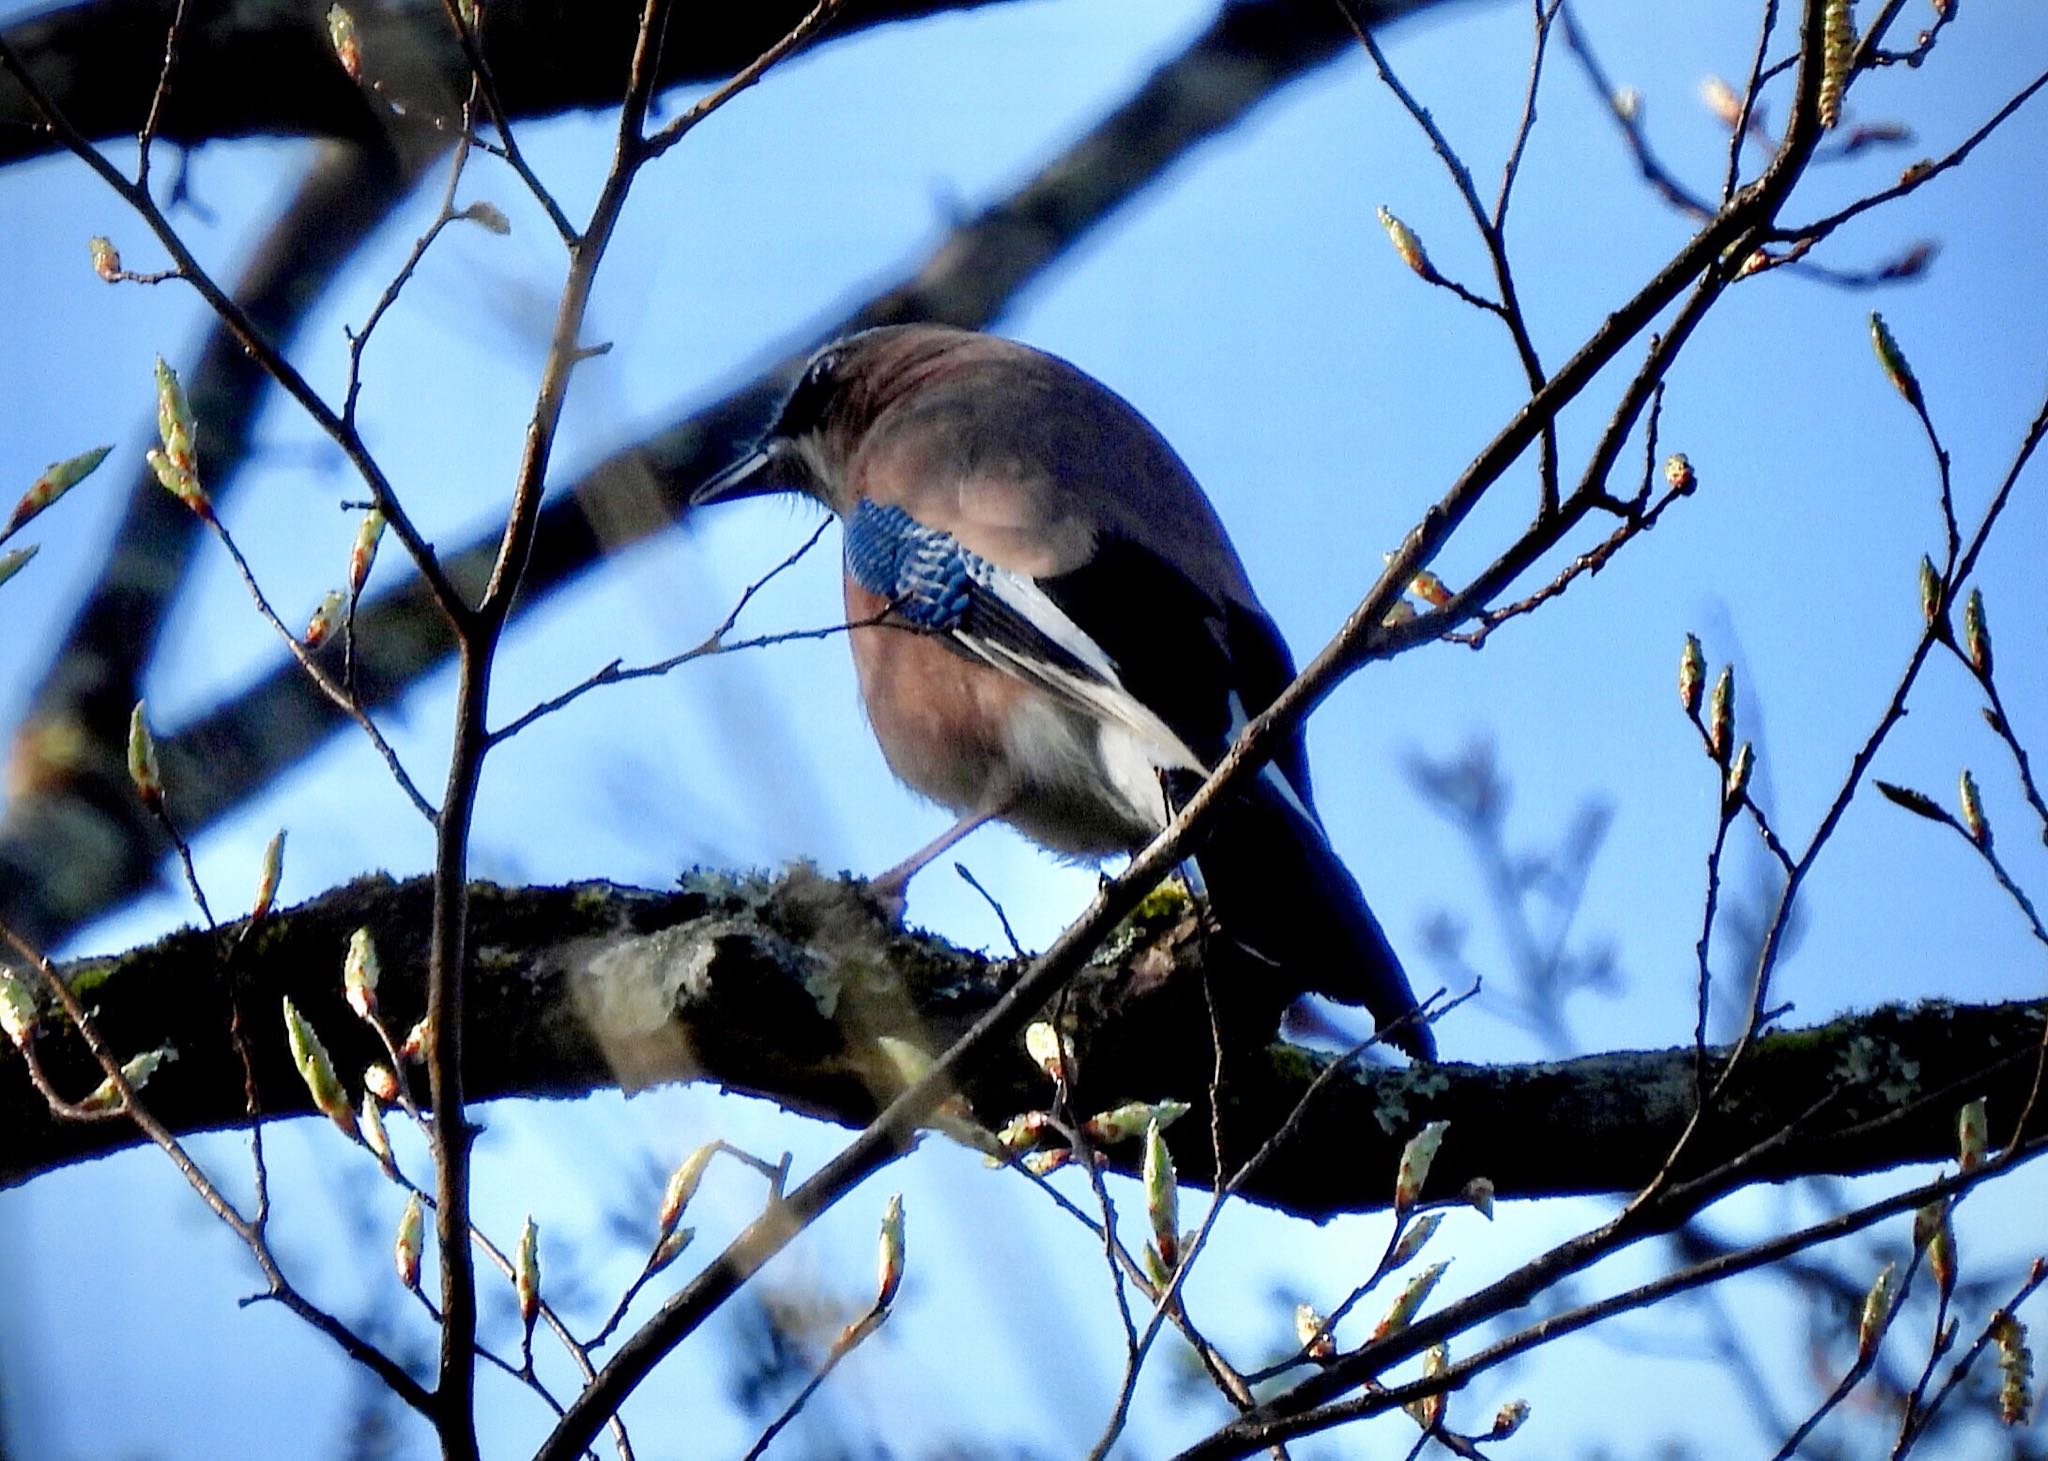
{"points": [[1002, 618]]}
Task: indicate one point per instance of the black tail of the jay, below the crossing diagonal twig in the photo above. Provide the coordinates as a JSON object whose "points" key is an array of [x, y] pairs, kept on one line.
{"points": [[1281, 890]]}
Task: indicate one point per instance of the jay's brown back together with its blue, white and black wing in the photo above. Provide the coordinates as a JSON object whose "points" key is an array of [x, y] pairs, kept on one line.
{"points": [[1101, 569]]}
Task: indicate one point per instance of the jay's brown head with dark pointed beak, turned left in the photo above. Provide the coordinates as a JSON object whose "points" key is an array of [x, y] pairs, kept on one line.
{"points": [[845, 390]]}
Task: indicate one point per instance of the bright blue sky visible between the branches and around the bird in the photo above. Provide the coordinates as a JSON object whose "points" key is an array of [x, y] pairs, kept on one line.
{"points": [[1254, 310]]}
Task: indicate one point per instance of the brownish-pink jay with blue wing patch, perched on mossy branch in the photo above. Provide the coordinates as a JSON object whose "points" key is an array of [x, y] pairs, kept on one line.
{"points": [[1052, 628]]}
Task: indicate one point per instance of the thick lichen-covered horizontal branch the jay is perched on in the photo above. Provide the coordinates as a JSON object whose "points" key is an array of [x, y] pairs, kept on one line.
{"points": [[781, 989]]}
